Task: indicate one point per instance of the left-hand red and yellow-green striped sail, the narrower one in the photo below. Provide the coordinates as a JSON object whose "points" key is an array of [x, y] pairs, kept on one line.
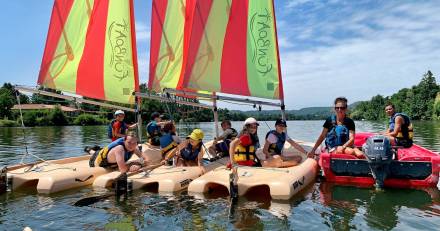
{"points": [[91, 50]]}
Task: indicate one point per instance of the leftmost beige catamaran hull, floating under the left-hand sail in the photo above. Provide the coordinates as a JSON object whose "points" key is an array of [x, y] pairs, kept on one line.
{"points": [[55, 175]]}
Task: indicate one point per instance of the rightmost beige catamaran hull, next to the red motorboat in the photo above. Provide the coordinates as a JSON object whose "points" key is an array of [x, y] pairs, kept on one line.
{"points": [[282, 183]]}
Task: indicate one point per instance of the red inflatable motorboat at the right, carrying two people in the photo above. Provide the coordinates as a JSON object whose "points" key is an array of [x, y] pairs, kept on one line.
{"points": [[407, 168]]}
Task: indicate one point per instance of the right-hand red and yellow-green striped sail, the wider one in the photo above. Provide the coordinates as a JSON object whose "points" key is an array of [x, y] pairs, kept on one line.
{"points": [[227, 46]]}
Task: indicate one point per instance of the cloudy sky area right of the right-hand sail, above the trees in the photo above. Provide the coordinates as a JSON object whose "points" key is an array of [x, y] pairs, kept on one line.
{"points": [[357, 51]]}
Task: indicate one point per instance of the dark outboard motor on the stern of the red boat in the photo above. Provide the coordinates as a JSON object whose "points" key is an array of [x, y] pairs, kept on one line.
{"points": [[379, 155]]}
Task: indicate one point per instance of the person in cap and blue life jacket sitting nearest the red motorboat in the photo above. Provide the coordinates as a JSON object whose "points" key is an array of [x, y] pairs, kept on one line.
{"points": [[274, 145]]}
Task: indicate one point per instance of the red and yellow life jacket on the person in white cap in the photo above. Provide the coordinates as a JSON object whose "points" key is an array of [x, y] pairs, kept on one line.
{"points": [[244, 153]]}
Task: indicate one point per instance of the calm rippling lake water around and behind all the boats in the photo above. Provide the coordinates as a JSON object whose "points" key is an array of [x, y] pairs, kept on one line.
{"points": [[322, 206]]}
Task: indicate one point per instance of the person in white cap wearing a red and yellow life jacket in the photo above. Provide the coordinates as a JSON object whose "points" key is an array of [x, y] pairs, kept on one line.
{"points": [[242, 150]]}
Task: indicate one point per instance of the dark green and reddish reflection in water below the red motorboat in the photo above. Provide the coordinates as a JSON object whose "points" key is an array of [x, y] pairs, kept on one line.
{"points": [[380, 209]]}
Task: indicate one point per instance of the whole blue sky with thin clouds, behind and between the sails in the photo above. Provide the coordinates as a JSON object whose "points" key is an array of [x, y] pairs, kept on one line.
{"points": [[356, 49]]}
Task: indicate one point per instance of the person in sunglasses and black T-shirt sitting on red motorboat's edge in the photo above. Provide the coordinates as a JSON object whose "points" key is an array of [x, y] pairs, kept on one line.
{"points": [[338, 132]]}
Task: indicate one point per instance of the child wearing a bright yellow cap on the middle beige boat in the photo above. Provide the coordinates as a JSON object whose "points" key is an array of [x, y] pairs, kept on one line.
{"points": [[190, 151]]}
